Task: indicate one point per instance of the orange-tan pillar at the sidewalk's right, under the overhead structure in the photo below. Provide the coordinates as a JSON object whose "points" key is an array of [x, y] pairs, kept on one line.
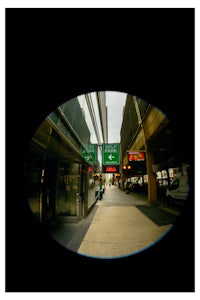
{"points": [[152, 189]]}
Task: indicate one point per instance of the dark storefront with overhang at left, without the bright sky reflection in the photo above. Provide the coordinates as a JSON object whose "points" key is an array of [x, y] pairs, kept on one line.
{"points": [[59, 182]]}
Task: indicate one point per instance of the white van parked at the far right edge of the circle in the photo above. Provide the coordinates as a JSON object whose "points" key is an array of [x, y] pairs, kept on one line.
{"points": [[178, 190]]}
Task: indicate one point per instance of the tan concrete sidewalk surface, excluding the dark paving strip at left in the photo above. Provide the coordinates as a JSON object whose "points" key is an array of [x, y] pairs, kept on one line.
{"points": [[120, 228]]}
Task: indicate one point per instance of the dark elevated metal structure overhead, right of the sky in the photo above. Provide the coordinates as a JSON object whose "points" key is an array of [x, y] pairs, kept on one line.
{"points": [[168, 146]]}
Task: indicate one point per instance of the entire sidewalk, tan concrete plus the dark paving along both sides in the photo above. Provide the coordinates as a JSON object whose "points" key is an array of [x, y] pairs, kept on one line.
{"points": [[120, 224]]}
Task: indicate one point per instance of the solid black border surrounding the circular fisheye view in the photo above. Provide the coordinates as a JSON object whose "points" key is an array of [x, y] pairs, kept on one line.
{"points": [[56, 54]]}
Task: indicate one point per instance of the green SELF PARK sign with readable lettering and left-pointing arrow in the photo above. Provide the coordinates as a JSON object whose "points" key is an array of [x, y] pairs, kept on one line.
{"points": [[110, 154]]}
